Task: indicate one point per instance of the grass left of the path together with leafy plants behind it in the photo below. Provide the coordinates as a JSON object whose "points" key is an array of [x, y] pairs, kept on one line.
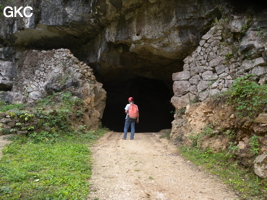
{"points": [[51, 158]]}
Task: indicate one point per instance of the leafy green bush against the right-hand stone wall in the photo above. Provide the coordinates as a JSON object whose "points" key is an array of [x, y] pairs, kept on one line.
{"points": [[247, 97]]}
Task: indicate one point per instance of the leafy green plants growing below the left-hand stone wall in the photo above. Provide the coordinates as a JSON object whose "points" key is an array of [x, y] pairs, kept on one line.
{"points": [[52, 117]]}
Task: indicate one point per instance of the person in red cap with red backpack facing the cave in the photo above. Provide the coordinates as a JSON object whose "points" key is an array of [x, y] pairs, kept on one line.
{"points": [[132, 116]]}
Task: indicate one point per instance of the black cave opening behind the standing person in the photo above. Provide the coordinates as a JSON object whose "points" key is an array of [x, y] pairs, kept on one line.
{"points": [[152, 97]]}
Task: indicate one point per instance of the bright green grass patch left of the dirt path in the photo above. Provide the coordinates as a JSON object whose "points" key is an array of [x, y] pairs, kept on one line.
{"points": [[61, 170]]}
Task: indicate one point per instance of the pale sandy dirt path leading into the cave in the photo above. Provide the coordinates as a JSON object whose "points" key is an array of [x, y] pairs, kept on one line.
{"points": [[149, 168]]}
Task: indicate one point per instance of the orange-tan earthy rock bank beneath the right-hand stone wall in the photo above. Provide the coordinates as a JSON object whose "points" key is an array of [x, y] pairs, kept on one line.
{"points": [[216, 126]]}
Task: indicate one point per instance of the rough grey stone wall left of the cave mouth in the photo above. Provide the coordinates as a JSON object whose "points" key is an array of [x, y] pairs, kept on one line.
{"points": [[41, 73]]}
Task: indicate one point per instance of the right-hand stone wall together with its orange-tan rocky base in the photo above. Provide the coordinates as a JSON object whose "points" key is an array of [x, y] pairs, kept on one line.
{"points": [[221, 57]]}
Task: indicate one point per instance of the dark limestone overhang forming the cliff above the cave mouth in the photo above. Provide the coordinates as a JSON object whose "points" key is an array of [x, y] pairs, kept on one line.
{"points": [[115, 37]]}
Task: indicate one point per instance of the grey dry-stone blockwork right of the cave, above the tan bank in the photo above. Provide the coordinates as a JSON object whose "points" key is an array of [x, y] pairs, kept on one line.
{"points": [[218, 60]]}
